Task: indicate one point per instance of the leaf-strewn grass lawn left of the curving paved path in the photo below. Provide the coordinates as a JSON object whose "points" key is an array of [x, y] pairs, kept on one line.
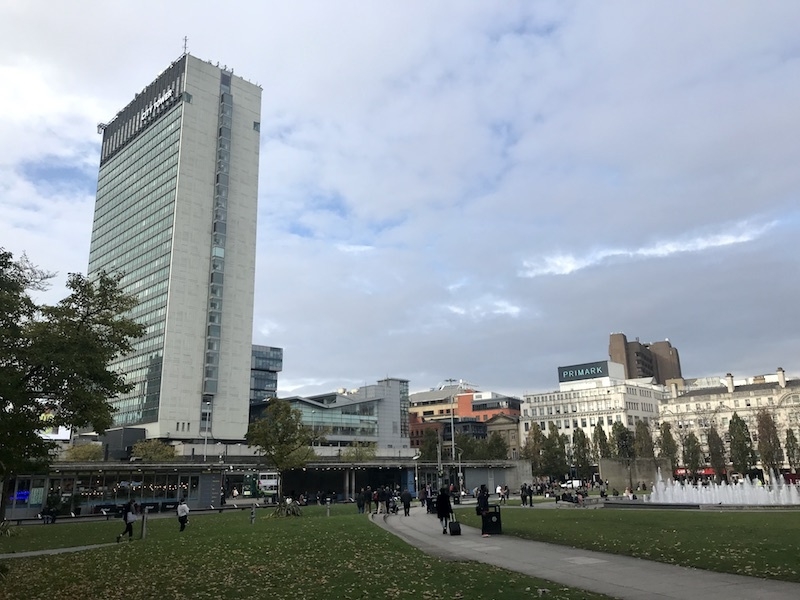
{"points": [[223, 556]]}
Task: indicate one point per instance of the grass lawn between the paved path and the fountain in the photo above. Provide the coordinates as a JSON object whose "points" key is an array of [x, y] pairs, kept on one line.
{"points": [[759, 543]]}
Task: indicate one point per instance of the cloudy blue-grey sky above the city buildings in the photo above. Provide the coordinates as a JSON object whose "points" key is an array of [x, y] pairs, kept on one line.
{"points": [[469, 190]]}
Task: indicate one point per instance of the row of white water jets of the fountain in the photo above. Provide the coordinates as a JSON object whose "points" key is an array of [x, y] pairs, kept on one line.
{"points": [[745, 492]]}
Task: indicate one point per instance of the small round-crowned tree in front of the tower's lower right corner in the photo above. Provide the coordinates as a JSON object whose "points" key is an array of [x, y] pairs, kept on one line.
{"points": [[282, 438]]}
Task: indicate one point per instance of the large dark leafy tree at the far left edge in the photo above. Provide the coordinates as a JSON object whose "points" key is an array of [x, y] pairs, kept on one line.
{"points": [[54, 361]]}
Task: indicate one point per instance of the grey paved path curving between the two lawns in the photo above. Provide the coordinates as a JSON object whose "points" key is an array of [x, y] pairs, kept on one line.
{"points": [[617, 576]]}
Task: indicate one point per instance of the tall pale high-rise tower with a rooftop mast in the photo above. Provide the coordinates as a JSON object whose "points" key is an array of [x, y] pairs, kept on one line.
{"points": [[176, 213]]}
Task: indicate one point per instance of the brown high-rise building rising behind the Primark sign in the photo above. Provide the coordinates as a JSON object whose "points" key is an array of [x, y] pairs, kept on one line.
{"points": [[658, 360]]}
